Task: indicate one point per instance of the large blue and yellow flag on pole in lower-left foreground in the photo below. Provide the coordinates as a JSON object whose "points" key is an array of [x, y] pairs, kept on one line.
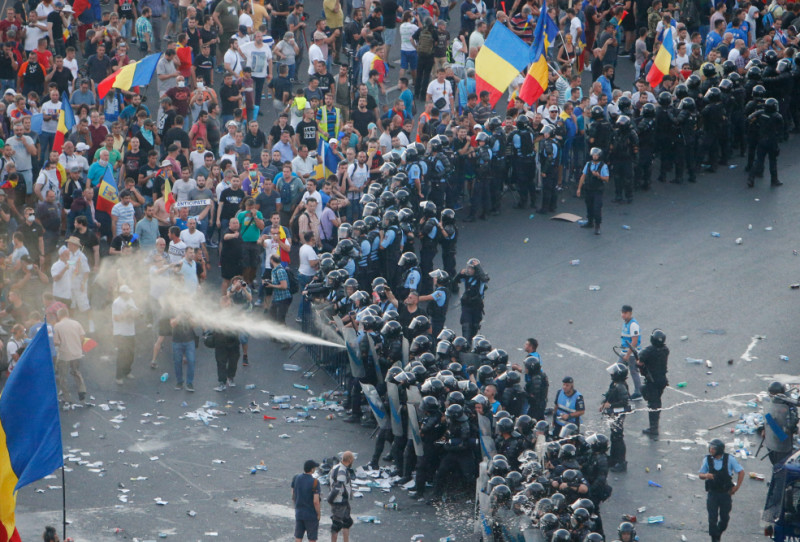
{"points": [[30, 428]]}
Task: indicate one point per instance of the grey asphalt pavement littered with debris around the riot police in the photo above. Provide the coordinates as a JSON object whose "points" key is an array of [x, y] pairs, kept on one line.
{"points": [[731, 302]]}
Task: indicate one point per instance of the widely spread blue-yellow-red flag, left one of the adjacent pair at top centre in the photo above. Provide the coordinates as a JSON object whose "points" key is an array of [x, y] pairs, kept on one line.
{"points": [[502, 57]]}
